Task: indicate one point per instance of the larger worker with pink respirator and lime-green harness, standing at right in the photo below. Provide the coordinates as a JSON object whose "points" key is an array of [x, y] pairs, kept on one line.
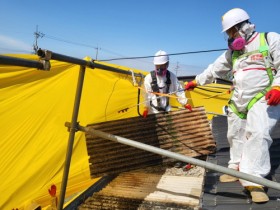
{"points": [[254, 59]]}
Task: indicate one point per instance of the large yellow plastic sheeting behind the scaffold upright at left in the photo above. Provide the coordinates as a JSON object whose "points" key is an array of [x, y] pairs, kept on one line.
{"points": [[34, 107]]}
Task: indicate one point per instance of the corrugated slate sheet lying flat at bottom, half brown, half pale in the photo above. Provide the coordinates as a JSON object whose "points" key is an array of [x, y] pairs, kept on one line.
{"points": [[143, 190]]}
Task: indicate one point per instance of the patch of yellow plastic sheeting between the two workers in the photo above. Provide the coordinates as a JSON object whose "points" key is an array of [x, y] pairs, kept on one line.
{"points": [[212, 96]]}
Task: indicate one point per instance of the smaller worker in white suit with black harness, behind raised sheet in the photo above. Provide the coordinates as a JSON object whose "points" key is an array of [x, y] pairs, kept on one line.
{"points": [[159, 82]]}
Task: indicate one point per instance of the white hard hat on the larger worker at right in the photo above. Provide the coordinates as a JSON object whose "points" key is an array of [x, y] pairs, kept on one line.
{"points": [[233, 17]]}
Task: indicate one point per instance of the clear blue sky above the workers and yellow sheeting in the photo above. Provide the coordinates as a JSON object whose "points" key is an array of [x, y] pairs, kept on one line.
{"points": [[128, 28]]}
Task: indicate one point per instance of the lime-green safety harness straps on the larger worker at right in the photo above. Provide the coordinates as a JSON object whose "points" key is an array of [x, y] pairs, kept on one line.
{"points": [[263, 49]]}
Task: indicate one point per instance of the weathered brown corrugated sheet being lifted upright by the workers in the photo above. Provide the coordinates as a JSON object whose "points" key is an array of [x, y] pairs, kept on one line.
{"points": [[183, 132]]}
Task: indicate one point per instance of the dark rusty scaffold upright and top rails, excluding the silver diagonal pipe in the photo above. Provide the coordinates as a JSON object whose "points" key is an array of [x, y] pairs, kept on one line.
{"points": [[44, 64]]}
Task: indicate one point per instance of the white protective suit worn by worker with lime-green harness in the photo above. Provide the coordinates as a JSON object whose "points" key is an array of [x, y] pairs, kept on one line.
{"points": [[249, 138]]}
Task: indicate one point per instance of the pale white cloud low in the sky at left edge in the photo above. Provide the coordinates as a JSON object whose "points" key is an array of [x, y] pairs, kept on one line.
{"points": [[9, 44]]}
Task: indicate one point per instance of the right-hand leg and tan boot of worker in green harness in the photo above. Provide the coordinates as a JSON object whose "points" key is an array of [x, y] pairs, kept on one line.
{"points": [[261, 119]]}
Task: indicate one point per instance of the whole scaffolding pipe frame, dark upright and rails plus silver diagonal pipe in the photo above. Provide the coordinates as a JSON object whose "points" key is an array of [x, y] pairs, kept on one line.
{"points": [[74, 126]]}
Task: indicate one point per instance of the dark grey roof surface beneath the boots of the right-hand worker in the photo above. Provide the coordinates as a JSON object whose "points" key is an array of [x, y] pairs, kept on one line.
{"points": [[231, 196]]}
